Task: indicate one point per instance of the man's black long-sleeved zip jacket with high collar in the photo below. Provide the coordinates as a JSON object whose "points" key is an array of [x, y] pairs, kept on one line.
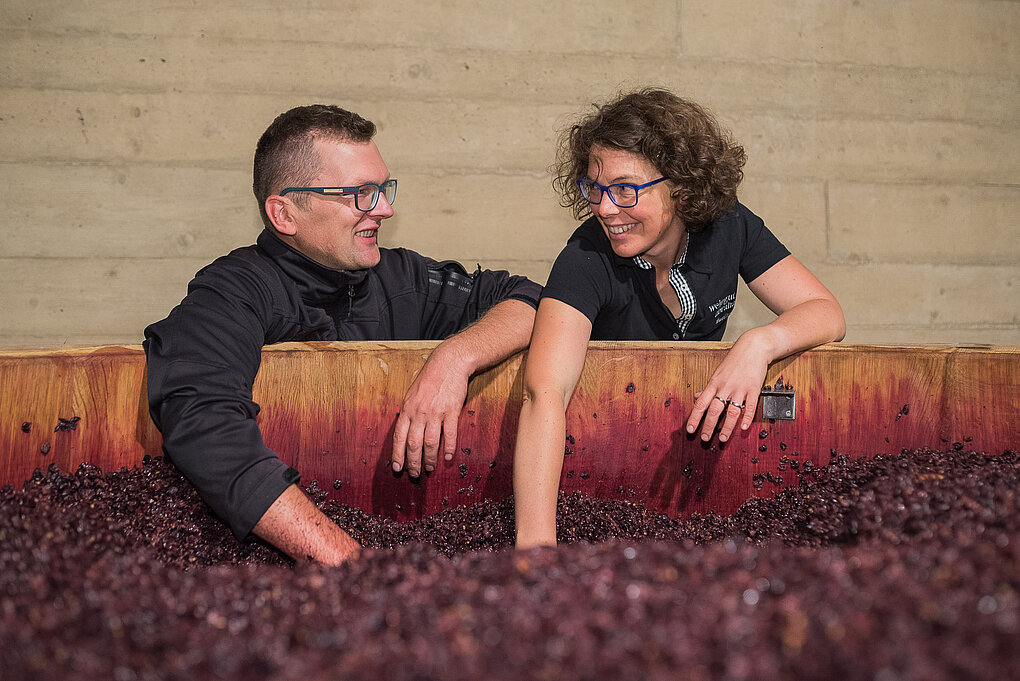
{"points": [[203, 358]]}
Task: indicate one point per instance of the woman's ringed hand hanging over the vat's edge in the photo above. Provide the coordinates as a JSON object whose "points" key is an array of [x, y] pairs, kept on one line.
{"points": [[732, 395]]}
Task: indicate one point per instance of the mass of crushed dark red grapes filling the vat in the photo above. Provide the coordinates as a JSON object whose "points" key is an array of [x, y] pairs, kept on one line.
{"points": [[899, 567]]}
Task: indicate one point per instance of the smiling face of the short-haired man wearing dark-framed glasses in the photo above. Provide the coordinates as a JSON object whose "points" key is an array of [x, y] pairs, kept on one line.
{"points": [[331, 230]]}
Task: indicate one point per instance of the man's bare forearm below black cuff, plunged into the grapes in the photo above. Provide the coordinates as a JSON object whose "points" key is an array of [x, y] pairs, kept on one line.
{"points": [[294, 526]]}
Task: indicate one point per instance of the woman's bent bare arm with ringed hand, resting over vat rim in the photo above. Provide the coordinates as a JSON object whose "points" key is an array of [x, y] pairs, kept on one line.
{"points": [[808, 316]]}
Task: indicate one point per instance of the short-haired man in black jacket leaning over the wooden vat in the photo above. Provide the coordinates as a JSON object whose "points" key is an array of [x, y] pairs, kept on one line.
{"points": [[318, 274]]}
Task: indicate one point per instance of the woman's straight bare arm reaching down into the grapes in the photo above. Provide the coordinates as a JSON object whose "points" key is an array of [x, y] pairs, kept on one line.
{"points": [[552, 369]]}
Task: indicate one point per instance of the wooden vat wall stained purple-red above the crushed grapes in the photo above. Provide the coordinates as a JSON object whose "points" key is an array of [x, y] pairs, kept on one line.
{"points": [[329, 410]]}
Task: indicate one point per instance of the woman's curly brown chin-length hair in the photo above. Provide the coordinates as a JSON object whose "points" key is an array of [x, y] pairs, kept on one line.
{"points": [[680, 138]]}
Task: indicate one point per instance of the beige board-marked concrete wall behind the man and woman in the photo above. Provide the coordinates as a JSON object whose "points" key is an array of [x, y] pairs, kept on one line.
{"points": [[882, 135]]}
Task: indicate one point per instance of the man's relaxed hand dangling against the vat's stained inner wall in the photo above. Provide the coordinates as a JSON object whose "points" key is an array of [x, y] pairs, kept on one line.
{"points": [[431, 412]]}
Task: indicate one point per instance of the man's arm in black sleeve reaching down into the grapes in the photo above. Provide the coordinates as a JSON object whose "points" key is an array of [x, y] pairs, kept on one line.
{"points": [[201, 363]]}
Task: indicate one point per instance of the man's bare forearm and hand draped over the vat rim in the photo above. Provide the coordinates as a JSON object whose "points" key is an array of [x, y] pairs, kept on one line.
{"points": [[433, 404]]}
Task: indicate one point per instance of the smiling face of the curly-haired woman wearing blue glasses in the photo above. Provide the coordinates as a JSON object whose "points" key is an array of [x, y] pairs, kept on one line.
{"points": [[651, 229]]}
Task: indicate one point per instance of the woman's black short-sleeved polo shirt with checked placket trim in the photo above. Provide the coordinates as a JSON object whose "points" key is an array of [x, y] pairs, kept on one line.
{"points": [[622, 301]]}
